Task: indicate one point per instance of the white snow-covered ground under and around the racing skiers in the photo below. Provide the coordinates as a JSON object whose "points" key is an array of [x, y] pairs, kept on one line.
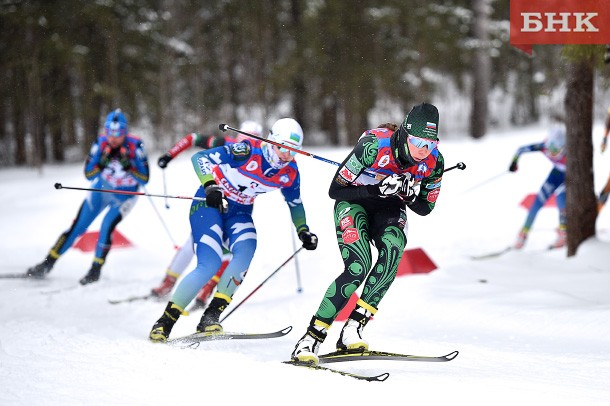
{"points": [[531, 327]]}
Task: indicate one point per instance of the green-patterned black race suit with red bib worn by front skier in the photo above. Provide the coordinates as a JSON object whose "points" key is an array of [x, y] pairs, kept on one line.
{"points": [[362, 216]]}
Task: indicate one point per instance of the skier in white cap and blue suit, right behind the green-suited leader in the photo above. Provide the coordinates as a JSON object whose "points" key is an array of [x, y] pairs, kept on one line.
{"points": [[231, 178]]}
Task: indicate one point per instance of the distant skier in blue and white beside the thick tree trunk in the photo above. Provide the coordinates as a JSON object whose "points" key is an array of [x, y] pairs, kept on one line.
{"points": [[553, 147]]}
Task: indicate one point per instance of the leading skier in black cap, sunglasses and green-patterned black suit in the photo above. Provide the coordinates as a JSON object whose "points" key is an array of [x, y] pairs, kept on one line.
{"points": [[391, 168]]}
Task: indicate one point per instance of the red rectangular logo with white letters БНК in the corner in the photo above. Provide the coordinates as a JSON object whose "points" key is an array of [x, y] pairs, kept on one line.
{"points": [[534, 22]]}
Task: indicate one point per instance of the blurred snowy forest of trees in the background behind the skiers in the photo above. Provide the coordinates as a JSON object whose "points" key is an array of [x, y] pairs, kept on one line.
{"points": [[338, 67]]}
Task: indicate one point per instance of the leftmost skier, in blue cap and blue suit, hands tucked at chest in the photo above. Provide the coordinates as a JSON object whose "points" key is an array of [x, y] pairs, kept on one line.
{"points": [[116, 161]]}
